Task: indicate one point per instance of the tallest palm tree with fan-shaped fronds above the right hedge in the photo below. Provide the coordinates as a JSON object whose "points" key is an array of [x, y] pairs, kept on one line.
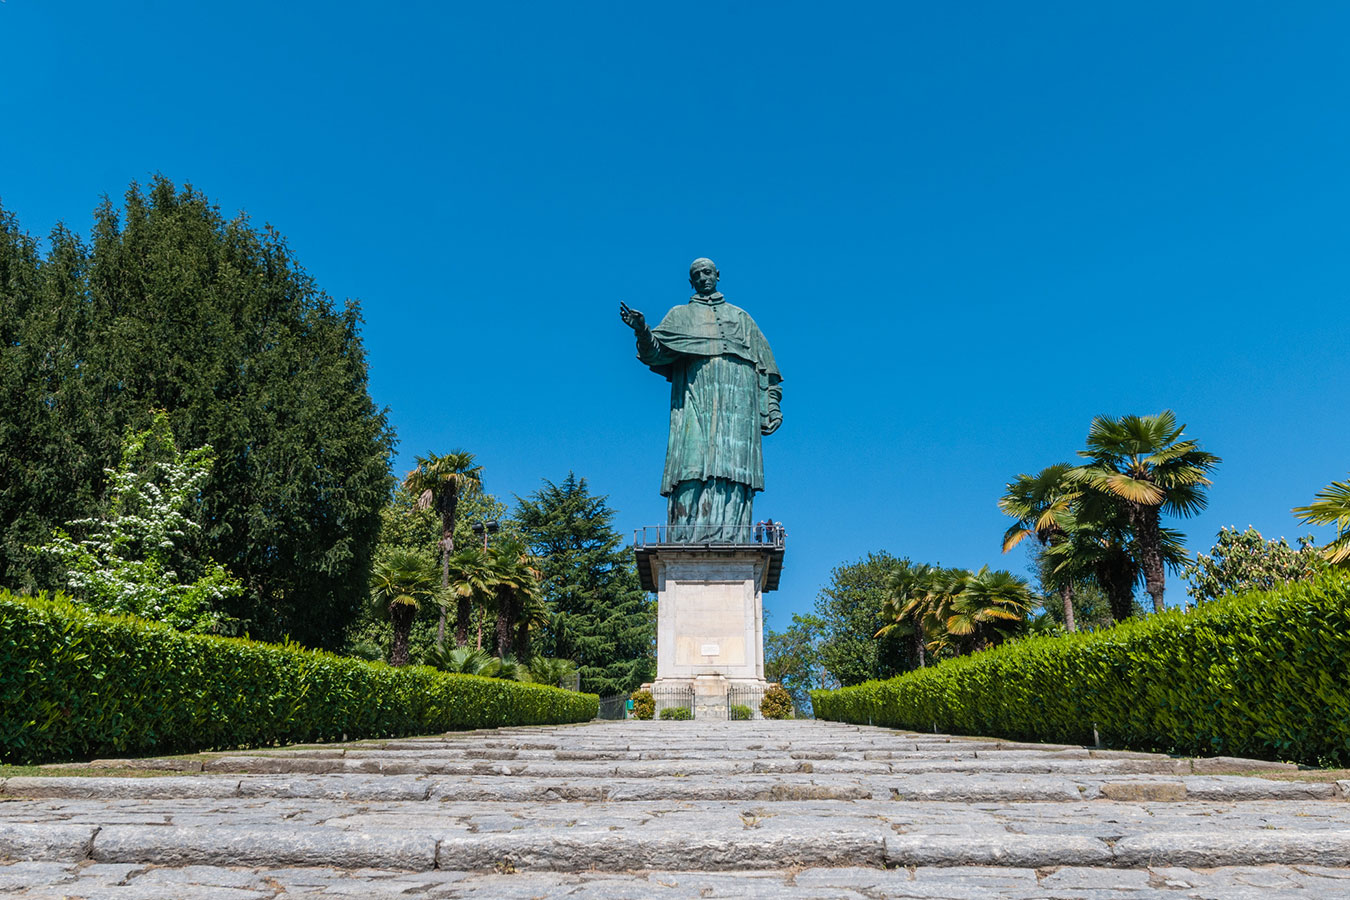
{"points": [[1144, 462]]}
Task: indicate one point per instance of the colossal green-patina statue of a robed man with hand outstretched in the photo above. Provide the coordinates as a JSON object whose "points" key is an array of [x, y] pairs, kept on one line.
{"points": [[724, 396]]}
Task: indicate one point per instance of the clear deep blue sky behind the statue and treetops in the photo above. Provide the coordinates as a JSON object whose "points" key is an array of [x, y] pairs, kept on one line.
{"points": [[965, 227]]}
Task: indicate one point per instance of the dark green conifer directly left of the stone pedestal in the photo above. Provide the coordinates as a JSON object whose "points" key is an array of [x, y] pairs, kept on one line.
{"points": [[601, 617]]}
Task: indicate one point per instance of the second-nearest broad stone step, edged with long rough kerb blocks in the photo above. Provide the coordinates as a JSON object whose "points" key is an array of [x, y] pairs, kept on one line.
{"points": [[749, 845]]}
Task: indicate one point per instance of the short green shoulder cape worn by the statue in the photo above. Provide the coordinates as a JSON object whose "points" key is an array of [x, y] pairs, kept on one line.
{"points": [[715, 329]]}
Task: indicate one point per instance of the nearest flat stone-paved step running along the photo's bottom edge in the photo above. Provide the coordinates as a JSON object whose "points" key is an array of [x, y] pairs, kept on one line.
{"points": [[844, 883]]}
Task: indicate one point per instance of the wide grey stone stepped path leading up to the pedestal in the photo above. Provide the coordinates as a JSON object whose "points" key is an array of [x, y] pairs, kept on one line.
{"points": [[785, 810]]}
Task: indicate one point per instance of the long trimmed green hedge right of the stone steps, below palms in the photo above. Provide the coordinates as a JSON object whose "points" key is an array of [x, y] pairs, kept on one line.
{"points": [[1259, 675]]}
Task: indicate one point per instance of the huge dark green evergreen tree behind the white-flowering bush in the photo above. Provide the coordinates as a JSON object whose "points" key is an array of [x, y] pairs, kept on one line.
{"points": [[176, 308]]}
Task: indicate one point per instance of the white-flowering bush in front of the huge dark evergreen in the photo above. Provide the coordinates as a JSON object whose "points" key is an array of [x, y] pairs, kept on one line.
{"points": [[133, 559]]}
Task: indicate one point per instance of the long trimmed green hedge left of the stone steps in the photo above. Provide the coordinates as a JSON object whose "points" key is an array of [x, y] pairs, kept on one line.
{"points": [[76, 685]]}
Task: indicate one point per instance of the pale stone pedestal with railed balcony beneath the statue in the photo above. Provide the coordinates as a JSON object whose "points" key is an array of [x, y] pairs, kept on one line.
{"points": [[709, 621]]}
